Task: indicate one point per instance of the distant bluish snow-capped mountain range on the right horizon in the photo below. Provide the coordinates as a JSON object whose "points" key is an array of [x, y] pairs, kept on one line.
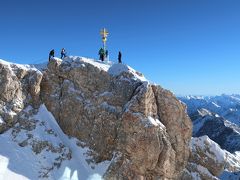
{"points": [[217, 117]]}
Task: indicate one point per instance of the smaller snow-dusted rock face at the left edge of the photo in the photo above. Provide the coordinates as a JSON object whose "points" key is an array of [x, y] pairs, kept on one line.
{"points": [[19, 87]]}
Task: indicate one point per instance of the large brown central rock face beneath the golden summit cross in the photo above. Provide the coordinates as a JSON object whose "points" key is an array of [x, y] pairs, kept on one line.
{"points": [[142, 127]]}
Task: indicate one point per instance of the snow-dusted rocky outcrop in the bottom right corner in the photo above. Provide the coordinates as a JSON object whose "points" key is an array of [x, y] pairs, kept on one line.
{"points": [[208, 161]]}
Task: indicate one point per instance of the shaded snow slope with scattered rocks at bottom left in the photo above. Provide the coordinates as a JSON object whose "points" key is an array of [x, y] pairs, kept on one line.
{"points": [[20, 162]]}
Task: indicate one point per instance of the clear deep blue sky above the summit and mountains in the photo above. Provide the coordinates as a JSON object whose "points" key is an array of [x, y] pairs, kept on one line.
{"points": [[187, 46]]}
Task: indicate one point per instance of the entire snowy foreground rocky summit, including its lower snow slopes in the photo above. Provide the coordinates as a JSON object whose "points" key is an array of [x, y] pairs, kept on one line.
{"points": [[80, 118]]}
